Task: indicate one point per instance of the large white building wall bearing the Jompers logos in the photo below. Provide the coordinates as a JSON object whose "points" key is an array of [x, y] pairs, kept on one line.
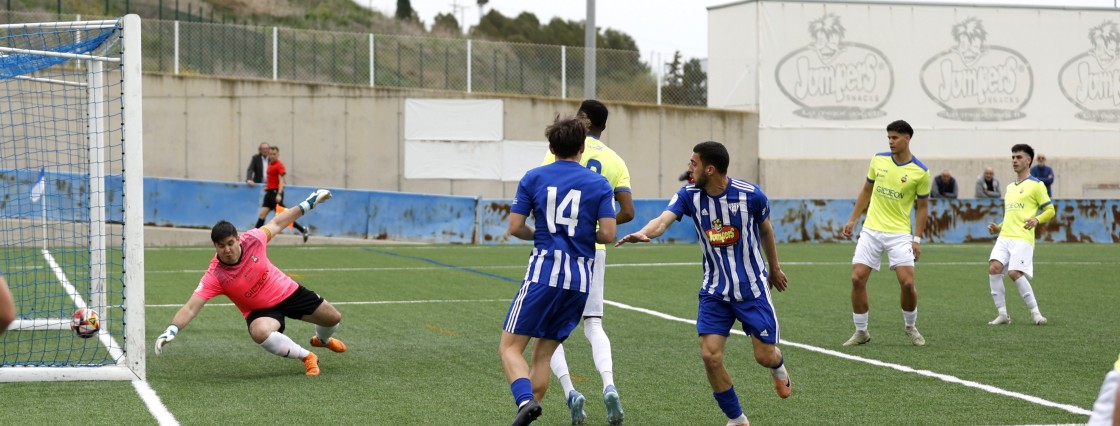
{"points": [[973, 81]]}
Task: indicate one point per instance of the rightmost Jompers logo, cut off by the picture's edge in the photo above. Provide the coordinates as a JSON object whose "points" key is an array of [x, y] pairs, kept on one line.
{"points": [[1093, 80]]}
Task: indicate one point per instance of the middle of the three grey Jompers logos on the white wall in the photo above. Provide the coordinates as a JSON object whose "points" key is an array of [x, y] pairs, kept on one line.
{"points": [[978, 82]]}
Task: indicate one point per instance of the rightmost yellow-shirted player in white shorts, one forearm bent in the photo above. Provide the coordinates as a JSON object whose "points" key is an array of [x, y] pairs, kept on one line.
{"points": [[1026, 205]]}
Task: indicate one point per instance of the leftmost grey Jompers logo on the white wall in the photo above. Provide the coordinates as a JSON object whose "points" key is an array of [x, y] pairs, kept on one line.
{"points": [[836, 80]]}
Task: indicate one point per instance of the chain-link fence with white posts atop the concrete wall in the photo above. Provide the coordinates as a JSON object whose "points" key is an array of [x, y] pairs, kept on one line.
{"points": [[455, 64]]}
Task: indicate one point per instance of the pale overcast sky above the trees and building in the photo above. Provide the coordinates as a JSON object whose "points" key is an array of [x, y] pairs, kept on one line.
{"points": [[661, 26]]}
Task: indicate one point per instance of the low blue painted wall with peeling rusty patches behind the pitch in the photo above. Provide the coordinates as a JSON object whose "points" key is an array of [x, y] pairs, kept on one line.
{"points": [[388, 216]]}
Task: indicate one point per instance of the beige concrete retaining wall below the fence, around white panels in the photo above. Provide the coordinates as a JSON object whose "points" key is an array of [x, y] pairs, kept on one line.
{"points": [[348, 137]]}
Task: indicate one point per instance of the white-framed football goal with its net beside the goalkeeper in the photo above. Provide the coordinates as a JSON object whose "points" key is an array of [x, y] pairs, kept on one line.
{"points": [[72, 208]]}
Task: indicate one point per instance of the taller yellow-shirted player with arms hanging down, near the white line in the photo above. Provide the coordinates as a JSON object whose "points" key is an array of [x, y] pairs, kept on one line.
{"points": [[897, 181]]}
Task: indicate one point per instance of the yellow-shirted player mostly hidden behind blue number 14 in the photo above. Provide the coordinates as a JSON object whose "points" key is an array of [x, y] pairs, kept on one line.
{"points": [[602, 160]]}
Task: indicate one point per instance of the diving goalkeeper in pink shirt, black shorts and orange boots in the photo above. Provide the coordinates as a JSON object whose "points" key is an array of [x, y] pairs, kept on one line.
{"points": [[242, 272]]}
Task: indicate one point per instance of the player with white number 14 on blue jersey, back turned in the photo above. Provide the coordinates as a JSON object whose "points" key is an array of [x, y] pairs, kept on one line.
{"points": [[567, 201]]}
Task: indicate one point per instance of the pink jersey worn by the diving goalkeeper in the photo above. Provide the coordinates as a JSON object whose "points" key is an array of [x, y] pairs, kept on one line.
{"points": [[254, 284]]}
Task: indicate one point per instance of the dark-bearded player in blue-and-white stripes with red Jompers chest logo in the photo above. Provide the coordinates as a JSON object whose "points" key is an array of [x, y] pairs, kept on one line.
{"points": [[732, 218]]}
